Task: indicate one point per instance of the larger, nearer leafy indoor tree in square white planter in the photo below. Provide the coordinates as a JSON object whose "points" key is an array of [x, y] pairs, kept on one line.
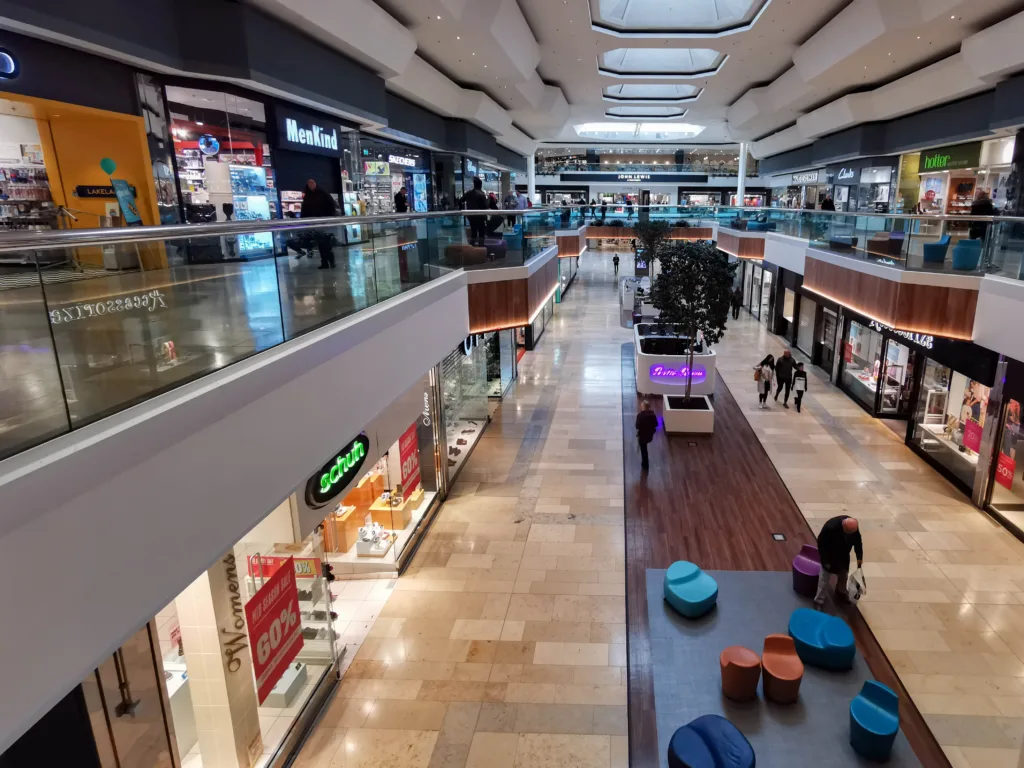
{"points": [[694, 291]]}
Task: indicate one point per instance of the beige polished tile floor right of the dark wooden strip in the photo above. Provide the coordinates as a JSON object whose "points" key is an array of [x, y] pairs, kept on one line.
{"points": [[946, 583]]}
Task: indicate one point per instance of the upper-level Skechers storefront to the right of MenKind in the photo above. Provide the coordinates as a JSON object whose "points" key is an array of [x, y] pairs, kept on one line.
{"points": [[388, 168]]}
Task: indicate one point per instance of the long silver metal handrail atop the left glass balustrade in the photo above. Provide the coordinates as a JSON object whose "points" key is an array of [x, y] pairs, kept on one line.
{"points": [[53, 239]]}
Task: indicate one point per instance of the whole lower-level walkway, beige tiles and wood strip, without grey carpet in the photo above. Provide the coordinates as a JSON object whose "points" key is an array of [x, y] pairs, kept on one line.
{"points": [[505, 645]]}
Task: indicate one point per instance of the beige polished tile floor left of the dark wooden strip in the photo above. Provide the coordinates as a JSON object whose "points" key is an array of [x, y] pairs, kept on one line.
{"points": [[504, 646]]}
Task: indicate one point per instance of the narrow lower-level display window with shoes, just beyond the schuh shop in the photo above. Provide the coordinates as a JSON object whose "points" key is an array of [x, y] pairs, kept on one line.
{"points": [[464, 394]]}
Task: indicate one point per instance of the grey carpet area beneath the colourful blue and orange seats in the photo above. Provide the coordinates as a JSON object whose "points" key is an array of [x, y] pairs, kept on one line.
{"points": [[816, 732]]}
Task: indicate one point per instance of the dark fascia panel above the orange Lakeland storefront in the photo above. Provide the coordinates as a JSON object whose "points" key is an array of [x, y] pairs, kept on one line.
{"points": [[61, 74]]}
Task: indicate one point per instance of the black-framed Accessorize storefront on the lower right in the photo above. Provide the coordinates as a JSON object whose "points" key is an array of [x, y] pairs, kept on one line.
{"points": [[940, 386]]}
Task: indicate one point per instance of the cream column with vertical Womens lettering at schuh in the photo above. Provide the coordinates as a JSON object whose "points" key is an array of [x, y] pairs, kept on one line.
{"points": [[211, 613]]}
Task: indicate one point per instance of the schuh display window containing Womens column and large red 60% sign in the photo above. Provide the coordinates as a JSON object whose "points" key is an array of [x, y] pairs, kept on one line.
{"points": [[257, 636]]}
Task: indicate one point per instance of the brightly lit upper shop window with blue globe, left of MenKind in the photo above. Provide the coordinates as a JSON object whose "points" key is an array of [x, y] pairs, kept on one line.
{"points": [[224, 160]]}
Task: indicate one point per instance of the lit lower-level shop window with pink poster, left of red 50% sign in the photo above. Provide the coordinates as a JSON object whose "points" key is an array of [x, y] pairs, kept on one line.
{"points": [[950, 419]]}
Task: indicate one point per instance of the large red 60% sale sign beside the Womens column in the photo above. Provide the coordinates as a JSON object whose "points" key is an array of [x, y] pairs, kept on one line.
{"points": [[275, 632]]}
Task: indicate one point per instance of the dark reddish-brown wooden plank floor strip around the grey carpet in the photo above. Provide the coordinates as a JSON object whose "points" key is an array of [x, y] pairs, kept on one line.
{"points": [[716, 501]]}
